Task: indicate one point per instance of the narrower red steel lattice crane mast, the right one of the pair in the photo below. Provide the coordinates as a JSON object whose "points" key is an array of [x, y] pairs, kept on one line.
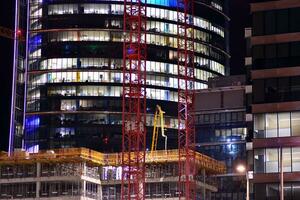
{"points": [[186, 129]]}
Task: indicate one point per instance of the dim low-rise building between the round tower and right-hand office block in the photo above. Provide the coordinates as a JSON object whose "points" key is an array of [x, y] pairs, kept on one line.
{"points": [[221, 130]]}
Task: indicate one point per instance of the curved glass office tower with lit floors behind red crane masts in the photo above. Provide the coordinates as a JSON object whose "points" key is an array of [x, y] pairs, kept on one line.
{"points": [[74, 81]]}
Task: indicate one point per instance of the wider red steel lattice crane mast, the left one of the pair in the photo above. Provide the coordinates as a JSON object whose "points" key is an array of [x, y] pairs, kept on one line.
{"points": [[134, 101]]}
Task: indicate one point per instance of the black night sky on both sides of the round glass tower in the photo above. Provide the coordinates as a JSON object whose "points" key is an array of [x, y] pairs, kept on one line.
{"points": [[239, 20]]}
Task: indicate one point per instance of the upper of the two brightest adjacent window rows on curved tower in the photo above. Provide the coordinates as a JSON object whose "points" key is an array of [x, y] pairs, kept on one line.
{"points": [[105, 63]]}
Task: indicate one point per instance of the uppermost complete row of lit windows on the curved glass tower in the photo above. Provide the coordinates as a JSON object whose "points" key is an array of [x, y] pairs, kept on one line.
{"points": [[117, 9]]}
